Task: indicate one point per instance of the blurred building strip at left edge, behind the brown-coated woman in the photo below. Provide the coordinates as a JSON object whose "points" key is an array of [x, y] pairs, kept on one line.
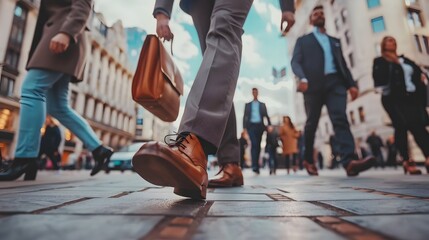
{"points": [[18, 20]]}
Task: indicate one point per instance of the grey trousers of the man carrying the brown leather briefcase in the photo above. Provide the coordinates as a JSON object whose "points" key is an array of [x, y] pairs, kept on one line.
{"points": [[209, 111]]}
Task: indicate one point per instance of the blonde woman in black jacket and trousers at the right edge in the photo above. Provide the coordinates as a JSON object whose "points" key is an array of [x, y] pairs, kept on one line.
{"points": [[404, 99]]}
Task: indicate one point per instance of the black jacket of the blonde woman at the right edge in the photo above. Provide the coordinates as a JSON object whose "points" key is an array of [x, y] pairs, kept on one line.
{"points": [[391, 74]]}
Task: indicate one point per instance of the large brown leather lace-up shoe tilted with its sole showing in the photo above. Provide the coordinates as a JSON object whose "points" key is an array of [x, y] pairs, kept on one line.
{"points": [[181, 165]]}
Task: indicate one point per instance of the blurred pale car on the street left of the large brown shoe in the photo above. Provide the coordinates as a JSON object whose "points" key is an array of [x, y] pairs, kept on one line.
{"points": [[121, 160]]}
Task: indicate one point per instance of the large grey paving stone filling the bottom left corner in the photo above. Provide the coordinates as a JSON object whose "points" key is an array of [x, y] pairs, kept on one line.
{"points": [[64, 227]]}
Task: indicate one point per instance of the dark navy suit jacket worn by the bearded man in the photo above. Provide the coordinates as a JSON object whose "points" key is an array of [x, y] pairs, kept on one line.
{"points": [[308, 62]]}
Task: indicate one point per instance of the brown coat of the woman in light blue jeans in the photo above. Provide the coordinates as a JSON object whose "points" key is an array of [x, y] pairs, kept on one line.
{"points": [[61, 16]]}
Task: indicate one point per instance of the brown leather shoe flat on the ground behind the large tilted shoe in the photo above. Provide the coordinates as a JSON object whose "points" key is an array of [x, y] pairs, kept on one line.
{"points": [[230, 175]]}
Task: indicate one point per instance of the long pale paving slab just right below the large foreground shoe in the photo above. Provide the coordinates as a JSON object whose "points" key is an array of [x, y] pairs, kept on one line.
{"points": [[268, 209]]}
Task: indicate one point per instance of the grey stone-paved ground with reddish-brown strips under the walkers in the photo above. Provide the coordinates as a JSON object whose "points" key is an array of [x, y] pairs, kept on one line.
{"points": [[379, 204]]}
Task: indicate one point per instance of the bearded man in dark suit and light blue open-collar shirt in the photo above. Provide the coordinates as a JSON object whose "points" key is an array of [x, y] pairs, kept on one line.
{"points": [[324, 79]]}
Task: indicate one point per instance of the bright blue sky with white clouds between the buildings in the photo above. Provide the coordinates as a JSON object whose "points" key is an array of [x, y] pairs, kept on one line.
{"points": [[263, 49]]}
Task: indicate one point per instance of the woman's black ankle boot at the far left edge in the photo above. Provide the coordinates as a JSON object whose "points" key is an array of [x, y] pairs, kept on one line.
{"points": [[27, 166]]}
